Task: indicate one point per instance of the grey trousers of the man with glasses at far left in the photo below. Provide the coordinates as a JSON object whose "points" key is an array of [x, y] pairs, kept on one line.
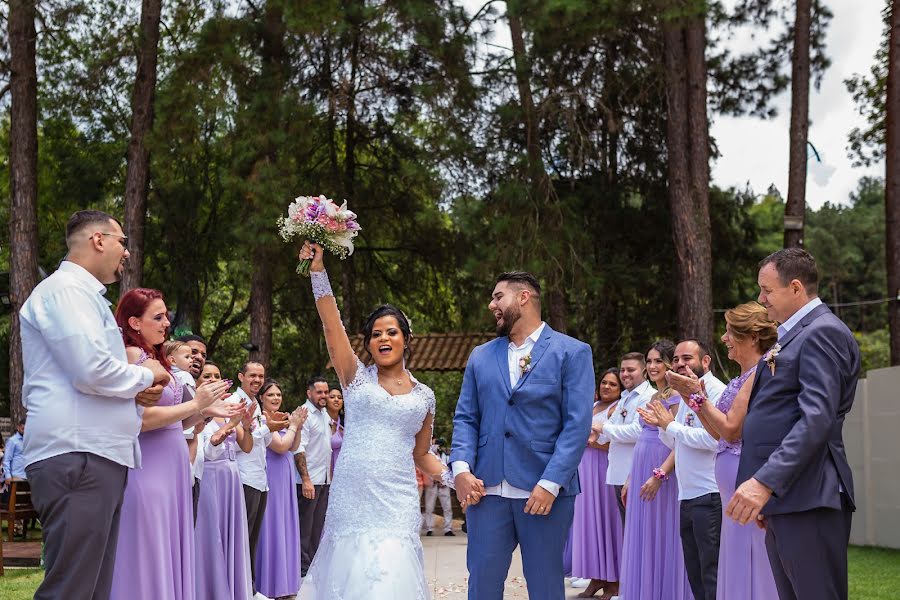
{"points": [[78, 497]]}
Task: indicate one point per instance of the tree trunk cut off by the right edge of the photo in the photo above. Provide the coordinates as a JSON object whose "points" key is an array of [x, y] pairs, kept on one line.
{"points": [[892, 183]]}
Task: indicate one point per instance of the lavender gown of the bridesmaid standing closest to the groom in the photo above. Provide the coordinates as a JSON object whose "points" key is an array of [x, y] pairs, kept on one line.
{"points": [[597, 526]]}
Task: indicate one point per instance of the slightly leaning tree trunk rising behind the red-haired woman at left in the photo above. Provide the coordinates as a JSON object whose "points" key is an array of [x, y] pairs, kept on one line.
{"points": [[137, 177]]}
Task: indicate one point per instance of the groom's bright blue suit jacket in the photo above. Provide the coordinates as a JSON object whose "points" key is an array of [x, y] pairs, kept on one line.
{"points": [[535, 430]]}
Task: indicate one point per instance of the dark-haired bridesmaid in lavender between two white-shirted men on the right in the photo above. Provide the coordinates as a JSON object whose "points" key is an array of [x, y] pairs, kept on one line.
{"points": [[652, 559]]}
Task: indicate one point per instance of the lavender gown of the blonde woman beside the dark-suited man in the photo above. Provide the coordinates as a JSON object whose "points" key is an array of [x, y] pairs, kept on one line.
{"points": [[744, 569]]}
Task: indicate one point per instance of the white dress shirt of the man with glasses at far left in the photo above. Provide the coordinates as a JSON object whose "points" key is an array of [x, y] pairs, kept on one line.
{"points": [[79, 388]]}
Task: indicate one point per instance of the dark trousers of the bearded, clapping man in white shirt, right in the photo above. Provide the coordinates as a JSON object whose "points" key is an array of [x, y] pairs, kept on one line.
{"points": [[701, 526]]}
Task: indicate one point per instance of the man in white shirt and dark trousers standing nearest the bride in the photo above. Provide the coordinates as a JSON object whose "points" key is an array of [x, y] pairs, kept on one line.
{"points": [[313, 461]]}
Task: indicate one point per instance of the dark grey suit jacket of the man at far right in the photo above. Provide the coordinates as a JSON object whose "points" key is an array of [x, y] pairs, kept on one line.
{"points": [[793, 432]]}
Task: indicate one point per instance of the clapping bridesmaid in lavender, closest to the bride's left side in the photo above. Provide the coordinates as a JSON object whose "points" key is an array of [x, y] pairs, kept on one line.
{"points": [[278, 553]]}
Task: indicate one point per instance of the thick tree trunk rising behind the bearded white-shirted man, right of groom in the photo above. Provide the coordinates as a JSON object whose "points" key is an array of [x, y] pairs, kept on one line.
{"points": [[688, 172]]}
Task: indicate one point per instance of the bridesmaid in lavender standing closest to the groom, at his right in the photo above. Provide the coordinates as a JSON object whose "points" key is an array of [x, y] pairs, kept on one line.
{"points": [[597, 526]]}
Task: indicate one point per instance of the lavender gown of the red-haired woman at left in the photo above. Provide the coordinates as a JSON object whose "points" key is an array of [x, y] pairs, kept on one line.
{"points": [[155, 554]]}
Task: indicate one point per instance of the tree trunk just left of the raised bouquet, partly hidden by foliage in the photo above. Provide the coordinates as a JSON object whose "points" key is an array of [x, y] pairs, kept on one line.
{"points": [[272, 86]]}
